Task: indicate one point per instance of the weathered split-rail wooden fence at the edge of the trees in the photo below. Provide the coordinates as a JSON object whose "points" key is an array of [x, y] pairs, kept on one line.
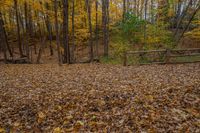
{"points": [[167, 54]]}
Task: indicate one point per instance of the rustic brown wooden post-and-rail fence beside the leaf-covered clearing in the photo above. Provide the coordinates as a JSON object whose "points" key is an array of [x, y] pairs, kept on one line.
{"points": [[166, 54]]}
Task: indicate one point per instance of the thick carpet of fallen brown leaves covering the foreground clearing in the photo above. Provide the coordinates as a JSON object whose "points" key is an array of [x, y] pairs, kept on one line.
{"points": [[99, 98]]}
